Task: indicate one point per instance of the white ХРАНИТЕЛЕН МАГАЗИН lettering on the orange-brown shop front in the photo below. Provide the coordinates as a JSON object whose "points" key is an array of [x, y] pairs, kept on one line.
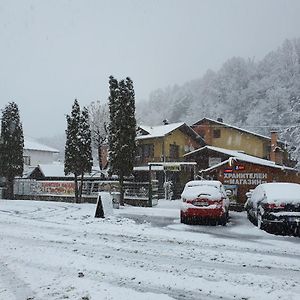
{"points": [[245, 178]]}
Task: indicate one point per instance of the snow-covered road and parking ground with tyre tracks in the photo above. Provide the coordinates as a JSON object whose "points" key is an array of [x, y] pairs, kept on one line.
{"points": [[54, 250]]}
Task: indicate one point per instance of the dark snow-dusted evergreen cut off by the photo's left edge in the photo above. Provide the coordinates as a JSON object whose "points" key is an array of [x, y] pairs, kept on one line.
{"points": [[11, 147]]}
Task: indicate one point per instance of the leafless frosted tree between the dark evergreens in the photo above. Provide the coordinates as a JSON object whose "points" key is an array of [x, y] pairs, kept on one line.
{"points": [[99, 119]]}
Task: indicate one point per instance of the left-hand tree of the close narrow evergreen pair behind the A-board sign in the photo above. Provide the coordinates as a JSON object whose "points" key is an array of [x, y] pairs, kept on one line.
{"points": [[72, 149]]}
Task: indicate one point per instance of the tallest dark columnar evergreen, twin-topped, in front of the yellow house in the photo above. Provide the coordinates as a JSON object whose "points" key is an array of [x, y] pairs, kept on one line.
{"points": [[122, 129]]}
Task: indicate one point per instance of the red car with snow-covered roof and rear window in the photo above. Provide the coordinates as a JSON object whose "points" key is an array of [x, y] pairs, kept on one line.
{"points": [[204, 201]]}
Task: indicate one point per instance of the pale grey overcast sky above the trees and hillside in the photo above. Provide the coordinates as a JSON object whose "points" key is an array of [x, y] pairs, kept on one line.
{"points": [[52, 52]]}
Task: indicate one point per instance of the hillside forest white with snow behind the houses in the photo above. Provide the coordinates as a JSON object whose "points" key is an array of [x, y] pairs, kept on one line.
{"points": [[259, 96]]}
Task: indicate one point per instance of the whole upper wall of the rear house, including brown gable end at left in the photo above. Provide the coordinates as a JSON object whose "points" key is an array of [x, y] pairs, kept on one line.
{"points": [[233, 139]]}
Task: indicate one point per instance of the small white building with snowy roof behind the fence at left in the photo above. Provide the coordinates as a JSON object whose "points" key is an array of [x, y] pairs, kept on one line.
{"points": [[35, 153]]}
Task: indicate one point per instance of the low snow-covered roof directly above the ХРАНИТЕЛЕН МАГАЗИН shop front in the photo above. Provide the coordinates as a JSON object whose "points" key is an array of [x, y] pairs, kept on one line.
{"points": [[235, 154]]}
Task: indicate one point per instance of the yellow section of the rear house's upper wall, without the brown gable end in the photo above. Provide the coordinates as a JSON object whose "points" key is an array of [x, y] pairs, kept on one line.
{"points": [[236, 140]]}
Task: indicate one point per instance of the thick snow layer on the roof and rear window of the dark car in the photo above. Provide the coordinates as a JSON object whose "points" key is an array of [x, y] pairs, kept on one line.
{"points": [[282, 192]]}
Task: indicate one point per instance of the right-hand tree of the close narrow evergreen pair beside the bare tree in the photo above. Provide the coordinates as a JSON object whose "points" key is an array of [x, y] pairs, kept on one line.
{"points": [[85, 142]]}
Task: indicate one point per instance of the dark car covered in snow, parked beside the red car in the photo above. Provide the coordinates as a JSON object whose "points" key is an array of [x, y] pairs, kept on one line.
{"points": [[275, 207]]}
